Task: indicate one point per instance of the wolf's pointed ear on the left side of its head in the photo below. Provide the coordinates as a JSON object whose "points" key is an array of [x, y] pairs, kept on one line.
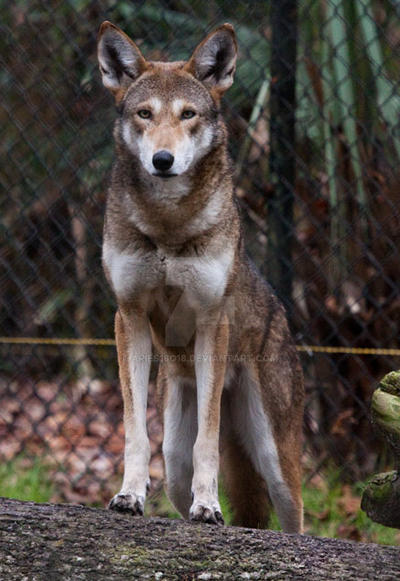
{"points": [[120, 60]]}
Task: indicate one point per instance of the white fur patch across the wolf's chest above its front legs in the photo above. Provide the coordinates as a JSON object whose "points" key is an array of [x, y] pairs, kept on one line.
{"points": [[201, 279]]}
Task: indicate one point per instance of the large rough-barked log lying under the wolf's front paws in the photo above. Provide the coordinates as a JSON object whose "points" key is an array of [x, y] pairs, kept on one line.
{"points": [[66, 542]]}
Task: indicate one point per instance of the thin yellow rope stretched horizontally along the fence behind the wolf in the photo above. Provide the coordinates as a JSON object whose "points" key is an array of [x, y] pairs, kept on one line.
{"points": [[111, 343]]}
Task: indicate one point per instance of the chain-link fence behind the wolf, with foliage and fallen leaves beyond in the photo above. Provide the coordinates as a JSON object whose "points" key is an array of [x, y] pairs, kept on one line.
{"points": [[319, 200]]}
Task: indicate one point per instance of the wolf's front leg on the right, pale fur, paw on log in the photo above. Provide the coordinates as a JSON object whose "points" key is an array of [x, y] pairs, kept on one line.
{"points": [[210, 352]]}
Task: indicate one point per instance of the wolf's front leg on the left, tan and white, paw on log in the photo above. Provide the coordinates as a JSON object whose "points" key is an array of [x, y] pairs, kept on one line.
{"points": [[134, 357]]}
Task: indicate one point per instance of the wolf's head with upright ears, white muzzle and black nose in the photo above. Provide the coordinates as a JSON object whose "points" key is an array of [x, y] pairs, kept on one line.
{"points": [[169, 111]]}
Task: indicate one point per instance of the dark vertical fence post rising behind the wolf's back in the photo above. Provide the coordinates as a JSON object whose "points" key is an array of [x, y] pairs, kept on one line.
{"points": [[282, 163]]}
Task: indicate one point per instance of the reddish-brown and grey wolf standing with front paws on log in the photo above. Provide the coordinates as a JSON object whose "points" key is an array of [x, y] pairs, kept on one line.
{"points": [[229, 378]]}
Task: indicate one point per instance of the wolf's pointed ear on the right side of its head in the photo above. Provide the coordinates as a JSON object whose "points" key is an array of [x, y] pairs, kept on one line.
{"points": [[214, 60]]}
